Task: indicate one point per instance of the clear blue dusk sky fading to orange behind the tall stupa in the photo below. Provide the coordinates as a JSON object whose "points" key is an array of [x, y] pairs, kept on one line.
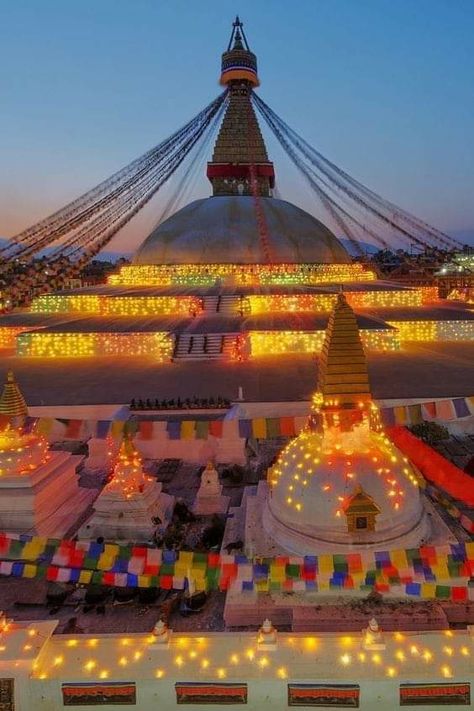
{"points": [[384, 88]]}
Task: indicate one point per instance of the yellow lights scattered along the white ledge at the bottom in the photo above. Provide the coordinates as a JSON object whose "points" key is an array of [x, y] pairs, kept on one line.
{"points": [[227, 656]]}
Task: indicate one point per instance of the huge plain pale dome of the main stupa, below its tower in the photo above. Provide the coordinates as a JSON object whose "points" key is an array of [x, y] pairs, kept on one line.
{"points": [[220, 230]]}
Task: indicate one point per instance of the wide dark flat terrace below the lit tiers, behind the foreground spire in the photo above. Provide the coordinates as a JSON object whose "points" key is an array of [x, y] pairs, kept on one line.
{"points": [[419, 370]]}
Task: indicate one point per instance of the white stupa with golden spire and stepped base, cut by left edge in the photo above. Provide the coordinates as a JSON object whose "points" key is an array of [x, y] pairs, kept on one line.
{"points": [[39, 489]]}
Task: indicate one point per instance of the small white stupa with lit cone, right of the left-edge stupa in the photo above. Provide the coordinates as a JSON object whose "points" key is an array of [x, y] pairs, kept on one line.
{"points": [[131, 505]]}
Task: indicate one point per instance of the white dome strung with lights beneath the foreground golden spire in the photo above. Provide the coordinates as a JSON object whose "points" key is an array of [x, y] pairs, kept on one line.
{"points": [[317, 474]]}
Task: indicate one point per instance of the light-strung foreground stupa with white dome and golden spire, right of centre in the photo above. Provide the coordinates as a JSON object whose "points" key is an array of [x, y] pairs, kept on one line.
{"points": [[342, 484]]}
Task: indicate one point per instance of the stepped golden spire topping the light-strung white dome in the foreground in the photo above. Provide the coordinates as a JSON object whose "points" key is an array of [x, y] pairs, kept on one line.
{"points": [[343, 377]]}
